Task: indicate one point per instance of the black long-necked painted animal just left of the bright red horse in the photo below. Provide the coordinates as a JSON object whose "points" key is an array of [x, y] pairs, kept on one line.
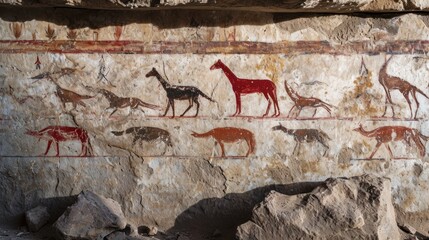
{"points": [[174, 92]]}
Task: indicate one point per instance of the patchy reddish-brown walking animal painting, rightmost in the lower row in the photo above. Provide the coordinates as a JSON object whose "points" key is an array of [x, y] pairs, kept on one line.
{"points": [[384, 135]]}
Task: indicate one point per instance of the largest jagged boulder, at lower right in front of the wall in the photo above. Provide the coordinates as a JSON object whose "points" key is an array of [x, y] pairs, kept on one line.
{"points": [[354, 208]]}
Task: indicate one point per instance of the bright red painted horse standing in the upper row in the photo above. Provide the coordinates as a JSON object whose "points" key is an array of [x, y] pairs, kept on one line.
{"points": [[242, 86]]}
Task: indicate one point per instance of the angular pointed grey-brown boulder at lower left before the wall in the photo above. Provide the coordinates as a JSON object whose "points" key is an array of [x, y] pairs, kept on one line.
{"points": [[91, 217]]}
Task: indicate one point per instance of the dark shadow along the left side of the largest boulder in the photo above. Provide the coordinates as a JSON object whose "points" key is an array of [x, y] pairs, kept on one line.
{"points": [[218, 218]]}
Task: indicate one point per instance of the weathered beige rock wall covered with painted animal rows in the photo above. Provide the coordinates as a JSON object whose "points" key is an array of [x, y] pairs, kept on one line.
{"points": [[56, 63]]}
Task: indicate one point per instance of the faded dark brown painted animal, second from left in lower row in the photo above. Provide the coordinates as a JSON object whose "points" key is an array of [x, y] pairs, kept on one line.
{"points": [[148, 134]]}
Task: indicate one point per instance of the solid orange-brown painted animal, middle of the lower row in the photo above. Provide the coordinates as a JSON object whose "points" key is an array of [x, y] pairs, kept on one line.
{"points": [[229, 135]]}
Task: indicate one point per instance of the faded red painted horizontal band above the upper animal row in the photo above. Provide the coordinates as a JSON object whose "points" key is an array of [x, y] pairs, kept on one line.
{"points": [[240, 47]]}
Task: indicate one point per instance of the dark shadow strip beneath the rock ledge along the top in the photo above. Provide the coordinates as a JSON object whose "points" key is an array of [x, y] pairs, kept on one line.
{"points": [[165, 19]]}
